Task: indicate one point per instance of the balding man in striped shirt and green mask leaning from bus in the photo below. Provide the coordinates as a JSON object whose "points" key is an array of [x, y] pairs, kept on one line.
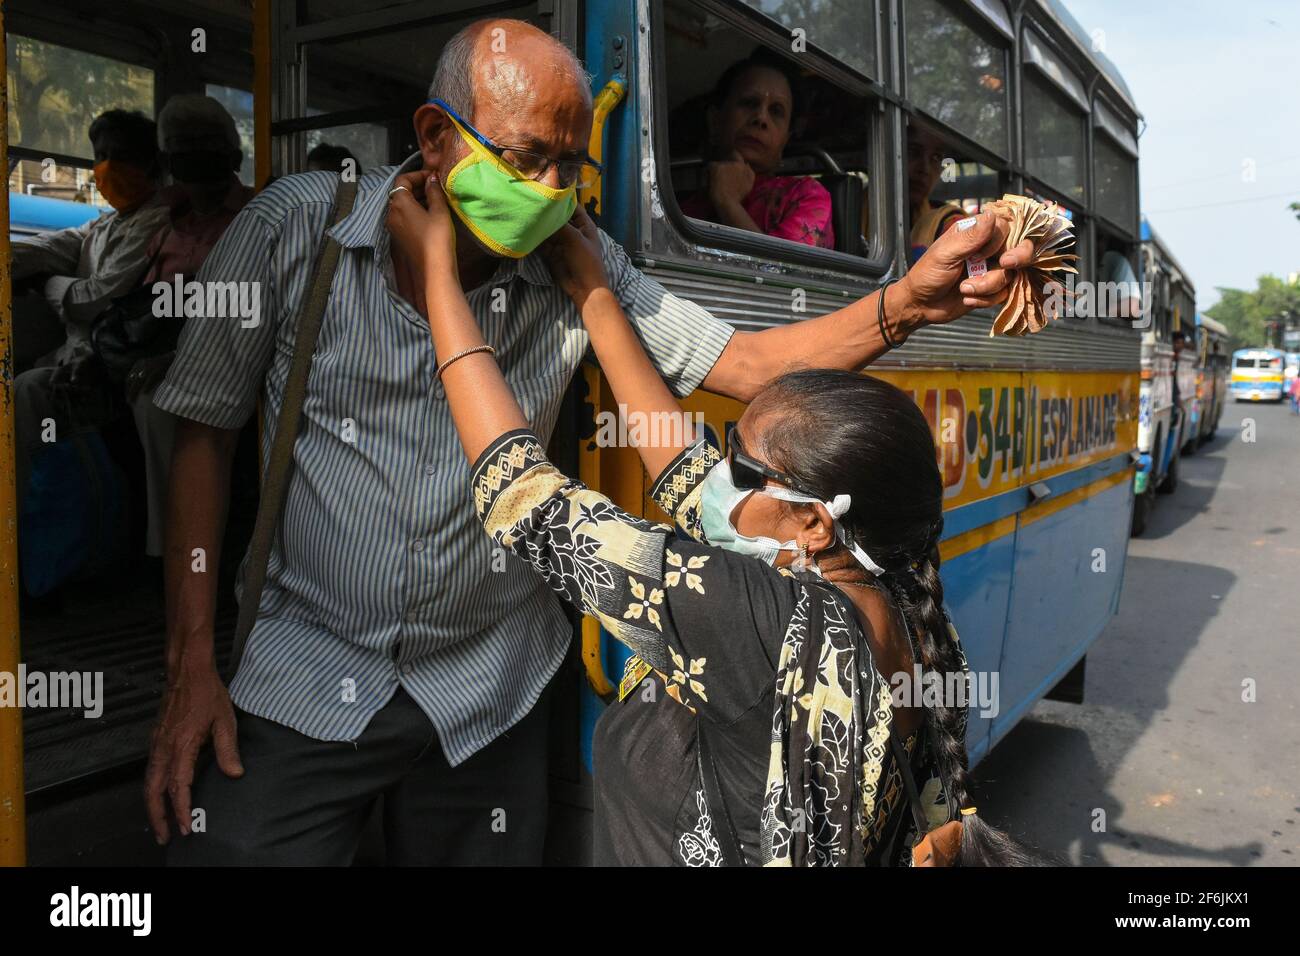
{"points": [[392, 657]]}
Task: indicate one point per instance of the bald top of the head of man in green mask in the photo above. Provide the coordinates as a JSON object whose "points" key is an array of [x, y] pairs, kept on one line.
{"points": [[510, 66]]}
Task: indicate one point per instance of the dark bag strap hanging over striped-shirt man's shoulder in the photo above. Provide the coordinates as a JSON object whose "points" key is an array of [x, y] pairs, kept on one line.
{"points": [[281, 464]]}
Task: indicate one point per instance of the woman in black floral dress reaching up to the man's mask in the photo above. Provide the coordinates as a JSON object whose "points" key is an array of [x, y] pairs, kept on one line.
{"points": [[808, 569]]}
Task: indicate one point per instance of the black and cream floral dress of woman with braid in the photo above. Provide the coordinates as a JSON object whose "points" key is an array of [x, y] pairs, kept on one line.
{"points": [[799, 723]]}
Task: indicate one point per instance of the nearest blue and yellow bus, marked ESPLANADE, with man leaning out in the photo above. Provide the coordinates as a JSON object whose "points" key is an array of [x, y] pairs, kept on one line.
{"points": [[1037, 438]]}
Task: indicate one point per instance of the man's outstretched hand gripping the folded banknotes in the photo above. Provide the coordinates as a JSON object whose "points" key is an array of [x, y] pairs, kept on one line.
{"points": [[937, 288]]}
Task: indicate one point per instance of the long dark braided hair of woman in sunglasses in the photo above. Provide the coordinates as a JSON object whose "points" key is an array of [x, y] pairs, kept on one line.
{"points": [[840, 432]]}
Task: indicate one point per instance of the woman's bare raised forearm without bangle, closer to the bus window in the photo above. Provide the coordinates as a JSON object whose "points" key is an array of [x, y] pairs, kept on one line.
{"points": [[574, 257]]}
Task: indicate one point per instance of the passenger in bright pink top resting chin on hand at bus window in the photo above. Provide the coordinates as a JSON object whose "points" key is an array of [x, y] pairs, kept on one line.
{"points": [[751, 118]]}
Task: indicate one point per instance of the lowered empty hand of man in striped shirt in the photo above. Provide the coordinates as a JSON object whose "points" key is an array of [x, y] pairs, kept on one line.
{"points": [[196, 707]]}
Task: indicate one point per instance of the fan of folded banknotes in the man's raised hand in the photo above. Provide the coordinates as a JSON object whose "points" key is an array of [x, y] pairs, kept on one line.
{"points": [[1029, 306]]}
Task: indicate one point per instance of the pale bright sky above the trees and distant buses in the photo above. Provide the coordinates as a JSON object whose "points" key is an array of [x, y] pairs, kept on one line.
{"points": [[1217, 85]]}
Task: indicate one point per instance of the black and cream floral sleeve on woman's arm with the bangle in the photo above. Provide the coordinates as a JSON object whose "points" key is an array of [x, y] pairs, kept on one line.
{"points": [[709, 621]]}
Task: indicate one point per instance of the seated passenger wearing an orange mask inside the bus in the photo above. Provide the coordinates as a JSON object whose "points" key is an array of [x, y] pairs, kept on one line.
{"points": [[86, 269]]}
